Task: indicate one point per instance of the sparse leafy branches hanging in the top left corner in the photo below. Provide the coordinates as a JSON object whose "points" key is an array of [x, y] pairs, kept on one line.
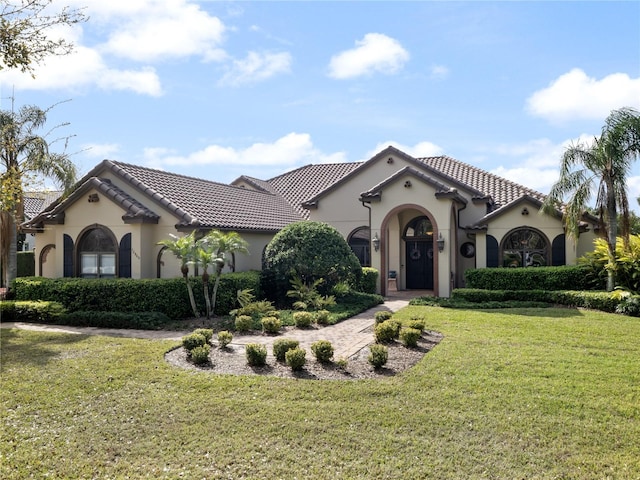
{"points": [[25, 32]]}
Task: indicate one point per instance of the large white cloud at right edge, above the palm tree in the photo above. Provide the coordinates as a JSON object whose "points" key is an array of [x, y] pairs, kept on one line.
{"points": [[574, 95]]}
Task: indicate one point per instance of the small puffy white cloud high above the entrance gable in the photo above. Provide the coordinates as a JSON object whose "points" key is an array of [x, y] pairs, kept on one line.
{"points": [[374, 53]]}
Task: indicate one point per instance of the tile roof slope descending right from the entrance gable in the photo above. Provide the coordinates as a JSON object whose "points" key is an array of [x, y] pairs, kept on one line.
{"points": [[501, 190]]}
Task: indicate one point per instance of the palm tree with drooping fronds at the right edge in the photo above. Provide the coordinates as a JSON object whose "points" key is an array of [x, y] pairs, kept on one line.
{"points": [[603, 167]]}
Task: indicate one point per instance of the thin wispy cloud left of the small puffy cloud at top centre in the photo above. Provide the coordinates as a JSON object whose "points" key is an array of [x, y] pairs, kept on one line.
{"points": [[256, 67]]}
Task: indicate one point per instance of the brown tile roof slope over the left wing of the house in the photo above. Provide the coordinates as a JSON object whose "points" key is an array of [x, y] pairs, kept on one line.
{"points": [[203, 203]]}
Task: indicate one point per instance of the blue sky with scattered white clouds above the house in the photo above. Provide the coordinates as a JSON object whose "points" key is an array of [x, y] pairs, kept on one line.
{"points": [[219, 89]]}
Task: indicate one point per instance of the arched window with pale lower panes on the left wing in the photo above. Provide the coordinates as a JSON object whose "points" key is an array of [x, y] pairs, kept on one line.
{"points": [[97, 249]]}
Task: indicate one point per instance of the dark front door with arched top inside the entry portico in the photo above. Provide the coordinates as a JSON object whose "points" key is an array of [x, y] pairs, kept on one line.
{"points": [[419, 253]]}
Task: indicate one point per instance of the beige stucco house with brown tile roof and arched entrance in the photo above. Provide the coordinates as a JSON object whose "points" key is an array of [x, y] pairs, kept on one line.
{"points": [[420, 221]]}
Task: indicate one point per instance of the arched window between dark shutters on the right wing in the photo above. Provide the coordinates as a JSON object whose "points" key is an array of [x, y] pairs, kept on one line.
{"points": [[525, 247]]}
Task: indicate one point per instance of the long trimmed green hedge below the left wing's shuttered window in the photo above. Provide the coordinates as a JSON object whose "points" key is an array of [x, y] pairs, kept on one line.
{"points": [[168, 296]]}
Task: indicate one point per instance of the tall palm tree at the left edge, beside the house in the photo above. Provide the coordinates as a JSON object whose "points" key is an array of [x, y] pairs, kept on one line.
{"points": [[24, 156]]}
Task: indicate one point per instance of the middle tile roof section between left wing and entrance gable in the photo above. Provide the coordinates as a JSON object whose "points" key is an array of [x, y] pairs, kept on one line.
{"points": [[306, 182]]}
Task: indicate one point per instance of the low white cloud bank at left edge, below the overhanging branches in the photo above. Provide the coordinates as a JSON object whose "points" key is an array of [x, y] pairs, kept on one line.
{"points": [[83, 68]]}
